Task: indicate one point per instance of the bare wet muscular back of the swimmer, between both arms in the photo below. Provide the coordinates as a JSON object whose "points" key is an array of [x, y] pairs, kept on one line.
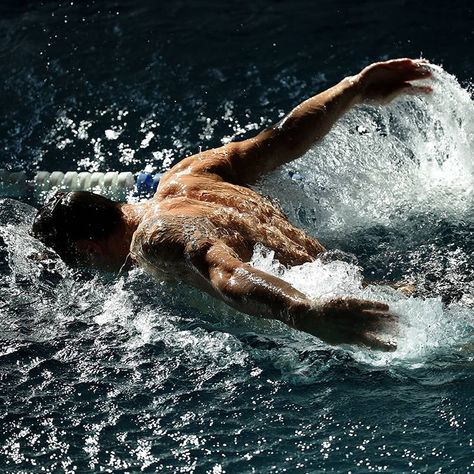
{"points": [[192, 213]]}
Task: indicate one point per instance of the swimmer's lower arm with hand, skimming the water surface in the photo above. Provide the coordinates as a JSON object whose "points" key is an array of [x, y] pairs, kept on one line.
{"points": [[339, 321]]}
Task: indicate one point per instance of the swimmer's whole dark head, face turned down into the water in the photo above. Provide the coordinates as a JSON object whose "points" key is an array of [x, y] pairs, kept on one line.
{"points": [[79, 227]]}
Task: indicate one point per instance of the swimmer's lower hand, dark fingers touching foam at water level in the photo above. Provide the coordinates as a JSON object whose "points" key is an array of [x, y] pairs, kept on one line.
{"points": [[350, 321]]}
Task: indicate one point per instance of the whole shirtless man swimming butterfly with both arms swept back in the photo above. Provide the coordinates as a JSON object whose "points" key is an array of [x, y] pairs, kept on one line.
{"points": [[204, 221]]}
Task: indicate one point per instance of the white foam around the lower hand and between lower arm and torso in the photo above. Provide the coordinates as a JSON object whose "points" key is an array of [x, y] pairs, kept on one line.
{"points": [[425, 324]]}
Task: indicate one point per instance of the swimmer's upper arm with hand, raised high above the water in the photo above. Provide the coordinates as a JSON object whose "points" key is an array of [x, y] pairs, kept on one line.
{"points": [[244, 162]]}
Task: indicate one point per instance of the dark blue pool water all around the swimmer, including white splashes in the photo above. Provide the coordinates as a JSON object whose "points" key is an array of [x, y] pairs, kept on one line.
{"points": [[126, 374]]}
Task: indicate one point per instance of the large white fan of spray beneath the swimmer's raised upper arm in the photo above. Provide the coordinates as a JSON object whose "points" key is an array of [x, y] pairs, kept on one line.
{"points": [[380, 163]]}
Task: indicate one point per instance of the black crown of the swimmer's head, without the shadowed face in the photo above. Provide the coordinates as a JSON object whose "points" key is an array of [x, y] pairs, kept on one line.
{"points": [[69, 217]]}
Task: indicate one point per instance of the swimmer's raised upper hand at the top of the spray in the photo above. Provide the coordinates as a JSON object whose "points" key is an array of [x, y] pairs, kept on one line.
{"points": [[382, 82]]}
